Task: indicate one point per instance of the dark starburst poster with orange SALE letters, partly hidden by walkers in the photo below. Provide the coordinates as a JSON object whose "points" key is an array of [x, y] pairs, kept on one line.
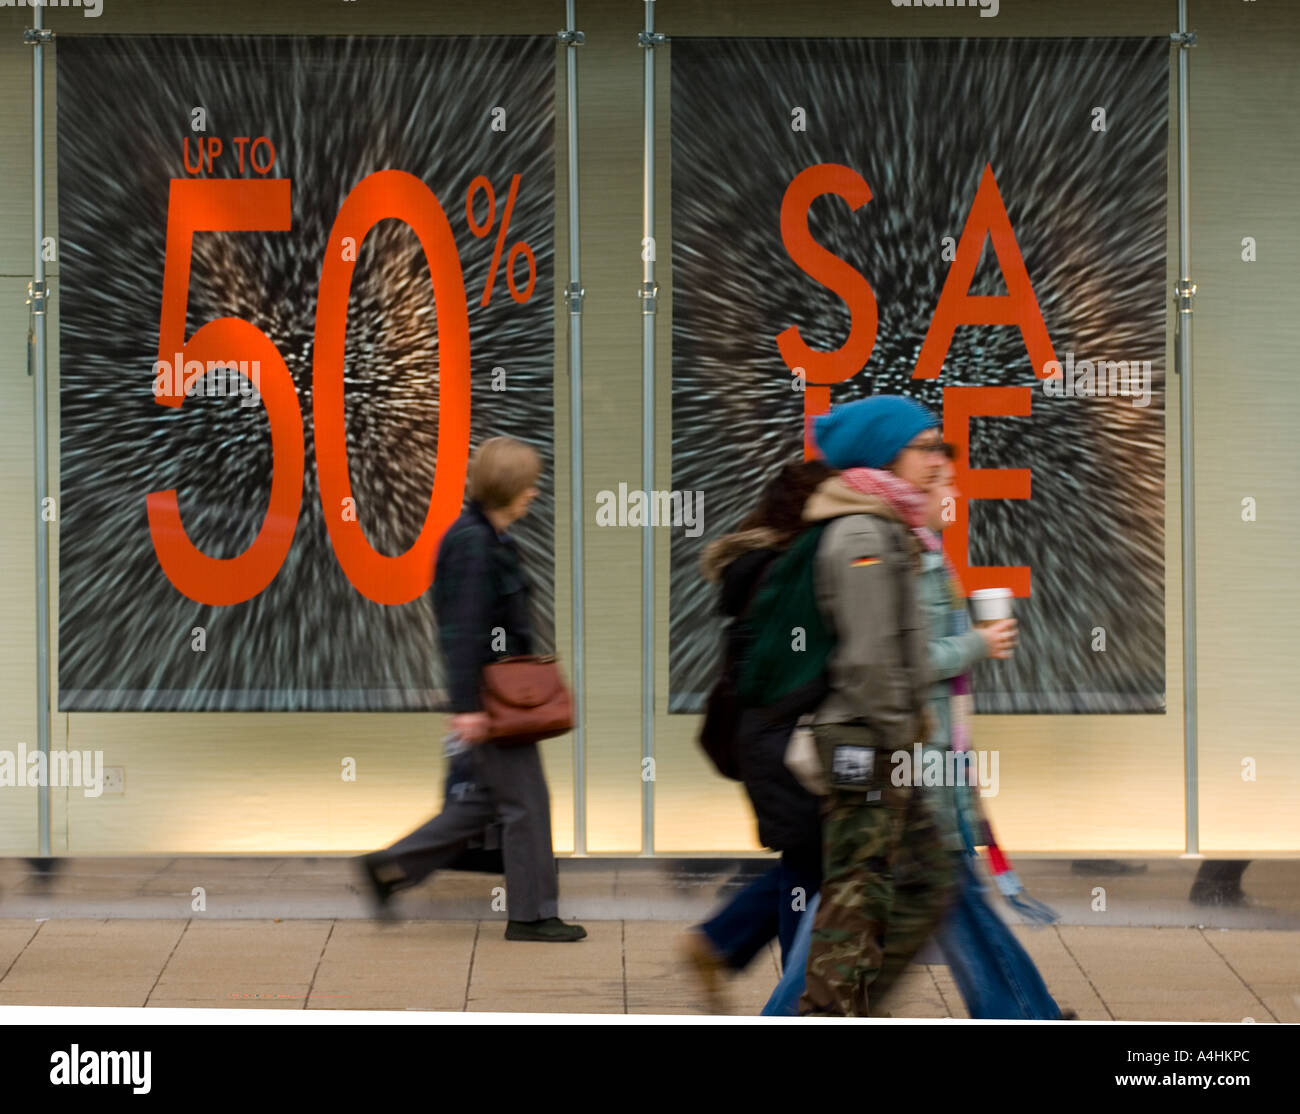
{"points": [[980, 224]]}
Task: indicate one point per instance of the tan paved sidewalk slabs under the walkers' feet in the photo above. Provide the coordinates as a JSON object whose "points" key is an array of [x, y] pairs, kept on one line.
{"points": [[625, 966]]}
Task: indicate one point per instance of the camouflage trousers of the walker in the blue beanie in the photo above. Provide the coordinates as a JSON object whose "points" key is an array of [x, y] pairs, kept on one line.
{"points": [[889, 881]]}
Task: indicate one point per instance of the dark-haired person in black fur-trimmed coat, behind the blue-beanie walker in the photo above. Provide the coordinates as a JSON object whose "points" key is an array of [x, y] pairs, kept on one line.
{"points": [[748, 744]]}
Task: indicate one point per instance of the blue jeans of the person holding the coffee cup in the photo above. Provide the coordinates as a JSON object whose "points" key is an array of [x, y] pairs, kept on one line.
{"points": [[994, 973]]}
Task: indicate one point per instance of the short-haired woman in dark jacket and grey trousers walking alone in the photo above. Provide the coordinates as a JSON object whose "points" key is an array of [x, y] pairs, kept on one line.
{"points": [[480, 599]]}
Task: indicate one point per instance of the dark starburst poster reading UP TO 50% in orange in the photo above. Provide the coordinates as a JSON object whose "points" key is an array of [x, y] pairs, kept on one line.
{"points": [[301, 279]]}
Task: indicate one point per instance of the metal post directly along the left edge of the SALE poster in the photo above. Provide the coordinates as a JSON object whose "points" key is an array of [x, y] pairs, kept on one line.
{"points": [[649, 296]]}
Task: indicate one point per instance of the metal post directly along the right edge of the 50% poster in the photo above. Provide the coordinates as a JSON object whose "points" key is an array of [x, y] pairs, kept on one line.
{"points": [[574, 293]]}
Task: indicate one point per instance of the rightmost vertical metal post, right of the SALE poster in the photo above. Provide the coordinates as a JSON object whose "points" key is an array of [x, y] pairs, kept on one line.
{"points": [[1185, 293]]}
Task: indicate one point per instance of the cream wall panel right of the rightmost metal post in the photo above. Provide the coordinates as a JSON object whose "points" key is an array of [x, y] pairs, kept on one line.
{"points": [[1246, 96]]}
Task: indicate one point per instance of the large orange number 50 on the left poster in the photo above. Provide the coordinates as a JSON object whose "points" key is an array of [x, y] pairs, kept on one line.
{"points": [[265, 206]]}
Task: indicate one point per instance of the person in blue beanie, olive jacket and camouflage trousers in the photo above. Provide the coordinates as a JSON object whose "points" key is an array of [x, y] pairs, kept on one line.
{"points": [[887, 879]]}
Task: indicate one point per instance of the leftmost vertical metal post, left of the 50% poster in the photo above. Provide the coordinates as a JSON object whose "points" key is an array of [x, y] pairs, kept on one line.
{"points": [[37, 300]]}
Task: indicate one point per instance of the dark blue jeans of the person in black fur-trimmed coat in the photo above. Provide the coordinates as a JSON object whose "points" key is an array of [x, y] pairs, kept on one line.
{"points": [[766, 908]]}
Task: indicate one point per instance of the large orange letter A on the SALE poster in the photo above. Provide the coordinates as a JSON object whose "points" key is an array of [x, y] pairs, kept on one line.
{"points": [[957, 306]]}
